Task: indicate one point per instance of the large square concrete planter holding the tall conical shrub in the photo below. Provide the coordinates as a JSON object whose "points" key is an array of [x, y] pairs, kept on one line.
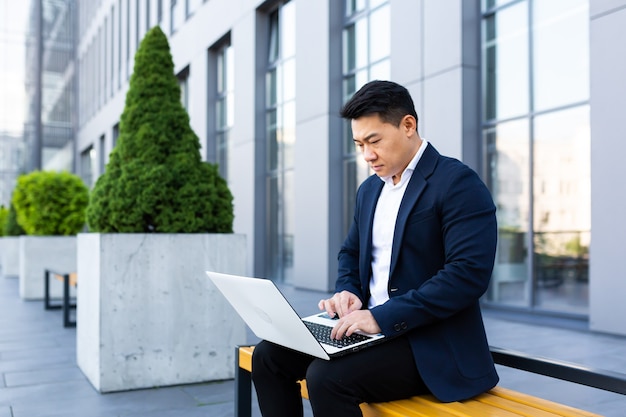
{"points": [[147, 314]]}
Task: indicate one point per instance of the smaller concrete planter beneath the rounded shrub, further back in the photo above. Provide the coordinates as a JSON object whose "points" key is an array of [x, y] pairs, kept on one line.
{"points": [[38, 253]]}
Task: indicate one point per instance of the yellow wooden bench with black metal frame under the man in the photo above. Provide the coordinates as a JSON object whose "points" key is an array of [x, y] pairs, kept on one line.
{"points": [[497, 402]]}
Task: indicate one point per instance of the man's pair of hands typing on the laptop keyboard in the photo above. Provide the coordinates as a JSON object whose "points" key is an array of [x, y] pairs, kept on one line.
{"points": [[351, 317]]}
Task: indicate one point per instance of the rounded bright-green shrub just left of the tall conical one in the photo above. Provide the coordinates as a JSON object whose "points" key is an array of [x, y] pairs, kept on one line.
{"points": [[50, 203]]}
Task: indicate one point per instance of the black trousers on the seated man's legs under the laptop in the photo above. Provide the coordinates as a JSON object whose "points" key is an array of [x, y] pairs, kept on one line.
{"points": [[384, 372]]}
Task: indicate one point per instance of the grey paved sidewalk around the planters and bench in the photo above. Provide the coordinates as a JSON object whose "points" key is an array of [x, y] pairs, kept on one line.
{"points": [[39, 376]]}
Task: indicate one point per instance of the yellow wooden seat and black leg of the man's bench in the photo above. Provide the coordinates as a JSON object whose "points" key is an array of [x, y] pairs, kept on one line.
{"points": [[500, 402]]}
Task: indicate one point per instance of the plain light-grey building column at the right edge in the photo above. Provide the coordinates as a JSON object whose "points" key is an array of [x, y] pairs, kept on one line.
{"points": [[607, 276]]}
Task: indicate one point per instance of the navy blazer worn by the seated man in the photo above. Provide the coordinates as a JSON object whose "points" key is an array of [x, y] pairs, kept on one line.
{"points": [[441, 263]]}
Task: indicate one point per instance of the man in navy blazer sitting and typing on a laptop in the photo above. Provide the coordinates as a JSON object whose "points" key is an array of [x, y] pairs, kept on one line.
{"points": [[416, 260]]}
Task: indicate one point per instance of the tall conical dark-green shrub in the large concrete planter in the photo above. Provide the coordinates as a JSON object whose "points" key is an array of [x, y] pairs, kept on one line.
{"points": [[155, 180]]}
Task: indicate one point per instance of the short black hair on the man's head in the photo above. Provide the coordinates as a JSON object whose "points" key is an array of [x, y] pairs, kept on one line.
{"points": [[389, 100]]}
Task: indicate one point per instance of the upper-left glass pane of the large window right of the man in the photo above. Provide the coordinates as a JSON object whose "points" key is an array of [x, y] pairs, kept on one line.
{"points": [[506, 92]]}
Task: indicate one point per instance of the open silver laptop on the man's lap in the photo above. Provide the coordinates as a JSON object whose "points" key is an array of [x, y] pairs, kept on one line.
{"points": [[270, 316]]}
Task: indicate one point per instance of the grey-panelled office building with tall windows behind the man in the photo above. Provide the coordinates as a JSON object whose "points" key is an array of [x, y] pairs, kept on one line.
{"points": [[526, 92]]}
